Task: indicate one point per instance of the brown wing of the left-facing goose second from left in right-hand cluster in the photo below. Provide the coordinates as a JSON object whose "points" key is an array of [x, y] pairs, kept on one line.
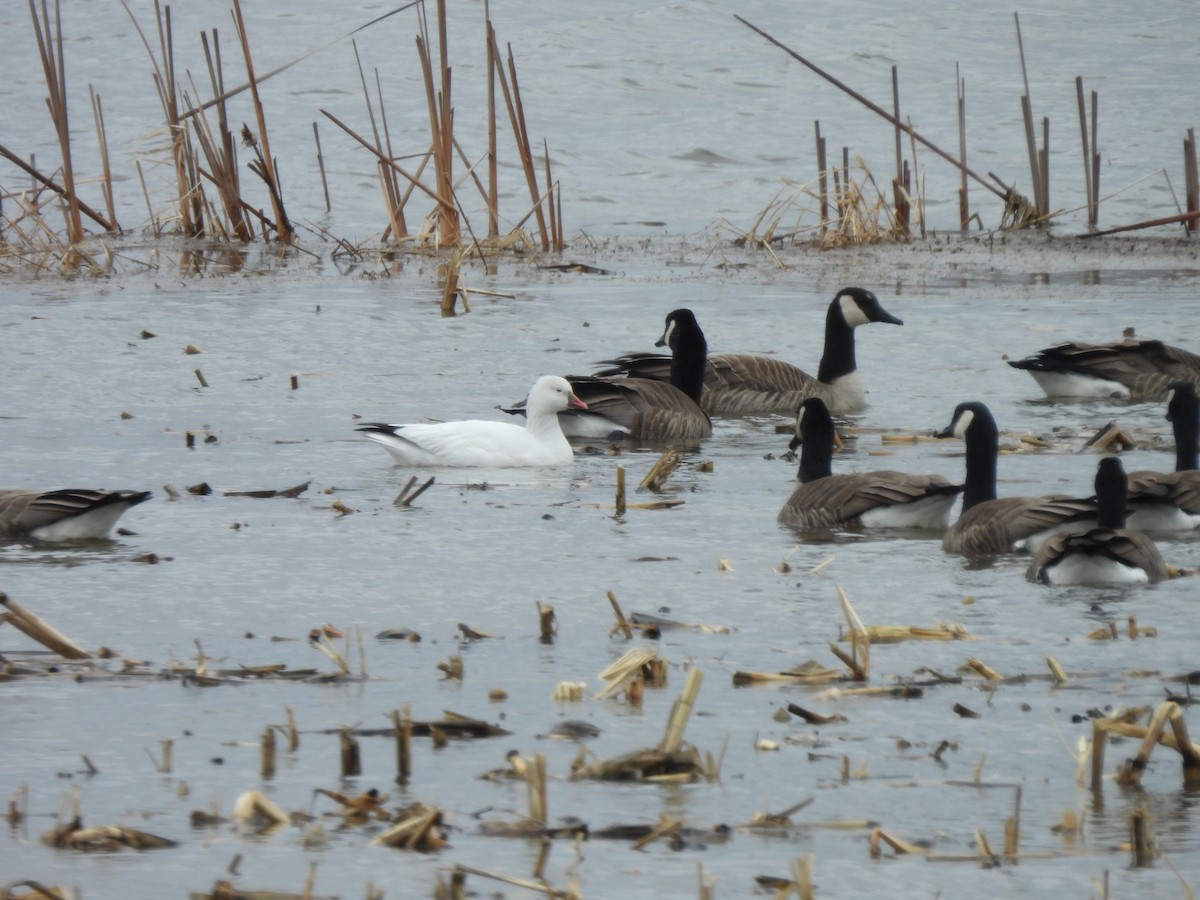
{"points": [[997, 527]]}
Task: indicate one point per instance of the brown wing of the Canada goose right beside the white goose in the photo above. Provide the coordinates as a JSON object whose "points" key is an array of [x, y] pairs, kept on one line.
{"points": [[652, 411]]}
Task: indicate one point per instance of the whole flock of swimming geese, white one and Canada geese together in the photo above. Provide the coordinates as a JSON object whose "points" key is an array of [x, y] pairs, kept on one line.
{"points": [[670, 399]]}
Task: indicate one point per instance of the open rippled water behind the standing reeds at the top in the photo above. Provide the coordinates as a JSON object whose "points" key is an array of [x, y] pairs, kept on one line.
{"points": [[661, 118]]}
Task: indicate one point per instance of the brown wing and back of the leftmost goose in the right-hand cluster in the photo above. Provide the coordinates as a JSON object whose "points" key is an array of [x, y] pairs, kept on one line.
{"points": [[845, 500]]}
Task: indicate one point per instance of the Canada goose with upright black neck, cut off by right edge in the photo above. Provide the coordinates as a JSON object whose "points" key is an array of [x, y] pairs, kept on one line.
{"points": [[1171, 501]]}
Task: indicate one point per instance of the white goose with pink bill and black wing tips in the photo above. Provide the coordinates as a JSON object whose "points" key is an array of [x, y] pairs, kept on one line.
{"points": [[476, 442]]}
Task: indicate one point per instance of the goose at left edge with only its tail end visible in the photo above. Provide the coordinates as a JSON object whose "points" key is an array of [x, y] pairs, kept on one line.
{"points": [[63, 515]]}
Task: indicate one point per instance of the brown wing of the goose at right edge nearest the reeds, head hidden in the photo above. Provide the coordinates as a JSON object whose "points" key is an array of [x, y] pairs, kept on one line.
{"points": [[1147, 368]]}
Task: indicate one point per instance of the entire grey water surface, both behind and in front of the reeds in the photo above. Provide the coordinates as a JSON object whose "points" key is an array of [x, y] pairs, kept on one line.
{"points": [[646, 128]]}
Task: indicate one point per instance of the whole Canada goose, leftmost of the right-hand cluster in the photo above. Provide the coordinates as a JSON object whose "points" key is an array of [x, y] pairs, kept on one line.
{"points": [[887, 500]]}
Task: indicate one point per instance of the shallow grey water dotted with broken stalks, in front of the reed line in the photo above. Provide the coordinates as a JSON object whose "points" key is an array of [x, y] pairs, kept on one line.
{"points": [[236, 573]]}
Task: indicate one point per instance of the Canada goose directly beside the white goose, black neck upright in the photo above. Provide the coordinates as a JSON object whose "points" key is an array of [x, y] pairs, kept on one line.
{"points": [[643, 410]]}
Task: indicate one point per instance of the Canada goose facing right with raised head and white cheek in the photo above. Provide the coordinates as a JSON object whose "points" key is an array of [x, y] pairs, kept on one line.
{"points": [[740, 385]]}
